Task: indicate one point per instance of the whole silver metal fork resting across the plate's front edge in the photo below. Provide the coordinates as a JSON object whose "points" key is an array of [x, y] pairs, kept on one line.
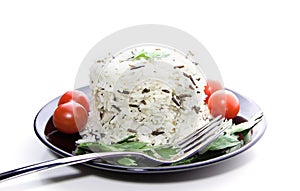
{"points": [[193, 143]]}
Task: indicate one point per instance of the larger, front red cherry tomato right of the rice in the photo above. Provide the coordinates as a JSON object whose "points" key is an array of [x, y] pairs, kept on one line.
{"points": [[225, 103]]}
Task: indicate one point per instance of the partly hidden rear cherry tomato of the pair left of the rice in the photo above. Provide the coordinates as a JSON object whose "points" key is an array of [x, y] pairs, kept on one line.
{"points": [[76, 96]]}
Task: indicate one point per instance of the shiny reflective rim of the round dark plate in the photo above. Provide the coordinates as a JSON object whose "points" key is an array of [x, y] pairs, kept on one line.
{"points": [[248, 108]]}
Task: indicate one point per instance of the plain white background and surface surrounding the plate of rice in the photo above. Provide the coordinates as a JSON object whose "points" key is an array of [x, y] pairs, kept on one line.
{"points": [[256, 45]]}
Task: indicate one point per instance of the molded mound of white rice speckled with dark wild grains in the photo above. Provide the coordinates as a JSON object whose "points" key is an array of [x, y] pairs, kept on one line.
{"points": [[159, 100]]}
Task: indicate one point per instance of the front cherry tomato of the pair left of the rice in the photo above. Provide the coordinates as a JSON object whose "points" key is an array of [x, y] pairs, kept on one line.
{"points": [[70, 117]]}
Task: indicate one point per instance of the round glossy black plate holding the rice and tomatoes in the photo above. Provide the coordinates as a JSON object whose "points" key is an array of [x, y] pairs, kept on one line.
{"points": [[63, 144]]}
